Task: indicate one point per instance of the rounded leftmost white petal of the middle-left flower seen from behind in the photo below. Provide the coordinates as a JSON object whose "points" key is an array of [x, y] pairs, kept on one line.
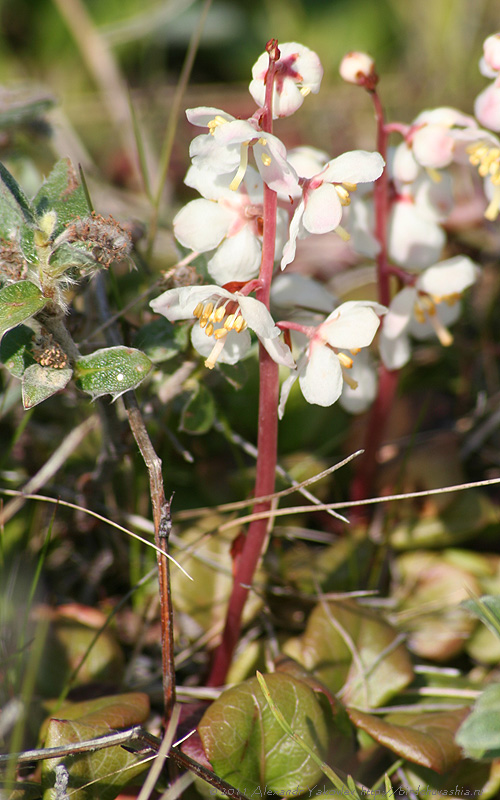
{"points": [[202, 224]]}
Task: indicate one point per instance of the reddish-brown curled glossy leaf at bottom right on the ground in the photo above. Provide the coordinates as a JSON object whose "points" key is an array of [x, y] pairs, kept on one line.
{"points": [[427, 739]]}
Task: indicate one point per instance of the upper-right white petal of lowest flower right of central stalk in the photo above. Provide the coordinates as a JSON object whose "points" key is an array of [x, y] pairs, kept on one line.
{"points": [[349, 327]]}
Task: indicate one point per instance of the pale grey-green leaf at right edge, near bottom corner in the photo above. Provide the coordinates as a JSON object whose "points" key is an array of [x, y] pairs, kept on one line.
{"points": [[479, 734]]}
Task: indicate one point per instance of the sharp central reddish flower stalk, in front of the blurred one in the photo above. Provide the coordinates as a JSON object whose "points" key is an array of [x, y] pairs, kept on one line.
{"points": [[267, 436]]}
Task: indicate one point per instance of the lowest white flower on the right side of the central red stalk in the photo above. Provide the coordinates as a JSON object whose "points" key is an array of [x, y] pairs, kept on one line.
{"points": [[320, 369]]}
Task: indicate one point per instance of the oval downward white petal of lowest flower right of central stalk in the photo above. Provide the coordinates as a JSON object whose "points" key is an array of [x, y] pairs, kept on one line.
{"points": [[321, 382]]}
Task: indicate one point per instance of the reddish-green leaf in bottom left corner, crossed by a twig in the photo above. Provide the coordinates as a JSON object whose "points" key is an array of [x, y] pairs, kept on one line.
{"points": [[112, 767]]}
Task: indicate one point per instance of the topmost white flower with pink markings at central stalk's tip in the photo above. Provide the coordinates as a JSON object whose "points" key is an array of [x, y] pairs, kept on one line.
{"points": [[298, 73]]}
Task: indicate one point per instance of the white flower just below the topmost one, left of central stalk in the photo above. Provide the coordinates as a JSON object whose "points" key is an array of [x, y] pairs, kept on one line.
{"points": [[225, 149]]}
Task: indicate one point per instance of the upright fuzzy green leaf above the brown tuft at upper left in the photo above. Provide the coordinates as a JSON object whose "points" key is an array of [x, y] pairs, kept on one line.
{"points": [[62, 193]]}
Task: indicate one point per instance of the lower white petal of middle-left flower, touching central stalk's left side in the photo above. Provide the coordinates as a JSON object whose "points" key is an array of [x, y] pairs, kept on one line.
{"points": [[237, 259]]}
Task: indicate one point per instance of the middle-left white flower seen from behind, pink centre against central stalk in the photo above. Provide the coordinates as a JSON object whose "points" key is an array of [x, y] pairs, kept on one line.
{"points": [[229, 222]]}
